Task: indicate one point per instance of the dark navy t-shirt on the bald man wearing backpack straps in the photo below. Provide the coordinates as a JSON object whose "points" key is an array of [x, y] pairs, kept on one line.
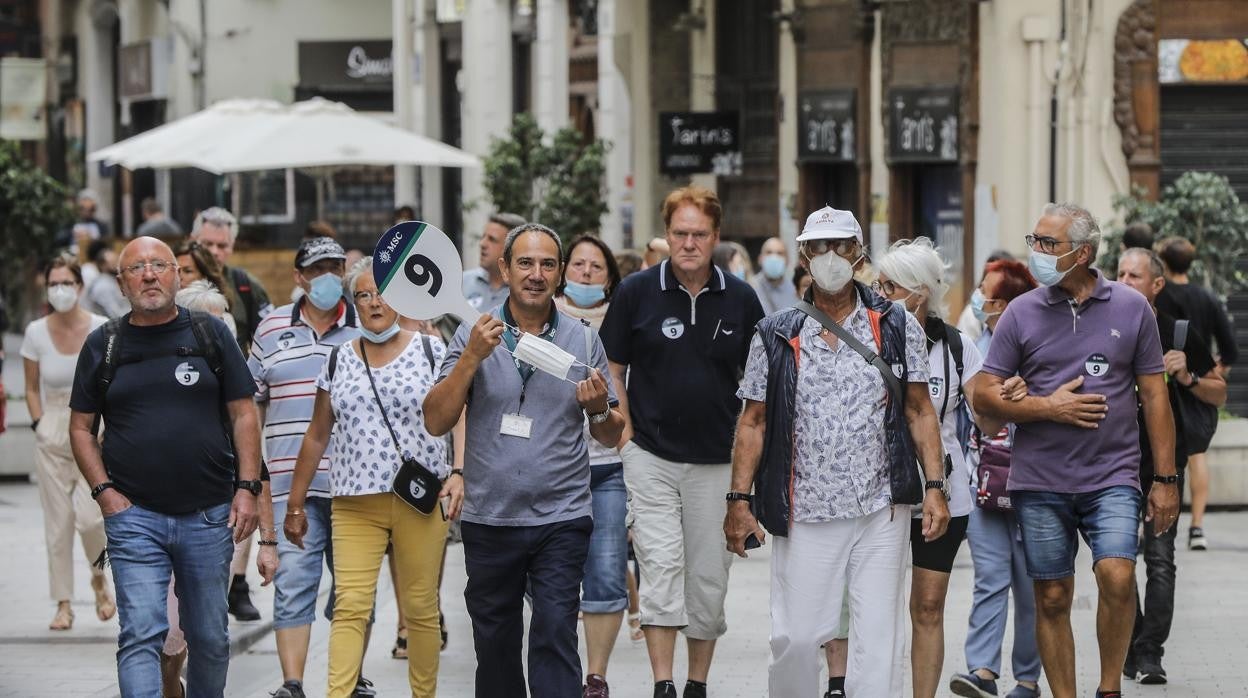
{"points": [[165, 441]]}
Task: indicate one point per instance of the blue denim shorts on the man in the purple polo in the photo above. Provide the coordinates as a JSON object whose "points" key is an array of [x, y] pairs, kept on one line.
{"points": [[1109, 520]]}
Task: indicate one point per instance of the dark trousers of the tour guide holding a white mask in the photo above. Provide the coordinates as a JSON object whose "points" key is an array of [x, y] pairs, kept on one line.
{"points": [[506, 563]]}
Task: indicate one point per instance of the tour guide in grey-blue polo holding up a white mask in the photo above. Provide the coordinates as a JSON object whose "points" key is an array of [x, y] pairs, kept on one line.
{"points": [[527, 509]]}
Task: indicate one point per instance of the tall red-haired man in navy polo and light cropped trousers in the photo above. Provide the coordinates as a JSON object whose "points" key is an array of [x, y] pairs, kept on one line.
{"points": [[681, 333]]}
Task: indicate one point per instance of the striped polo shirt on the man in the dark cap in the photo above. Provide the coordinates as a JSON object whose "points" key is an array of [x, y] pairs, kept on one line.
{"points": [[286, 359]]}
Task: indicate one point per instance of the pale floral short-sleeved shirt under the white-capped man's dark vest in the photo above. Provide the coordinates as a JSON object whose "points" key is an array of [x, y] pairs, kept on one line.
{"points": [[842, 459]]}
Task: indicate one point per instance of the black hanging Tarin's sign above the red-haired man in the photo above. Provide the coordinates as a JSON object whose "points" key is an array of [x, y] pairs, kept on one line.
{"points": [[700, 142]]}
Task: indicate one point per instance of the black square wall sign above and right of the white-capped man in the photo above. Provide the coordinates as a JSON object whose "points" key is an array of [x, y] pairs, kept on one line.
{"points": [[924, 125]]}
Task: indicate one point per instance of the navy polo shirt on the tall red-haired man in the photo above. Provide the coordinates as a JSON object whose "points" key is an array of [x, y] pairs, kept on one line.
{"points": [[686, 358]]}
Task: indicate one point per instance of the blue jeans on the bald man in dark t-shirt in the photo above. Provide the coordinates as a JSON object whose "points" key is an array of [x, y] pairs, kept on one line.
{"points": [[145, 548]]}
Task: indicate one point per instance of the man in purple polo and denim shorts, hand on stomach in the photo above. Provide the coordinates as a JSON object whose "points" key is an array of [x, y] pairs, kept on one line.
{"points": [[1084, 345]]}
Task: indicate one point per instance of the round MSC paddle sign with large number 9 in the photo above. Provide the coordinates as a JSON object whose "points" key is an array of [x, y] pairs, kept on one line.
{"points": [[419, 272]]}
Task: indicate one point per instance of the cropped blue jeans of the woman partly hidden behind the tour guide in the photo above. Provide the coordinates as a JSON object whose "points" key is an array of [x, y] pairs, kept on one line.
{"points": [[606, 587]]}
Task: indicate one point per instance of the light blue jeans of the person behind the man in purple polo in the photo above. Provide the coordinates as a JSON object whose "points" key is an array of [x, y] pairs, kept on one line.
{"points": [[1000, 570]]}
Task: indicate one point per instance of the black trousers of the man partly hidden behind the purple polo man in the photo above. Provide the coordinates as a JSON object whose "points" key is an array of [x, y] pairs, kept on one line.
{"points": [[1155, 616]]}
